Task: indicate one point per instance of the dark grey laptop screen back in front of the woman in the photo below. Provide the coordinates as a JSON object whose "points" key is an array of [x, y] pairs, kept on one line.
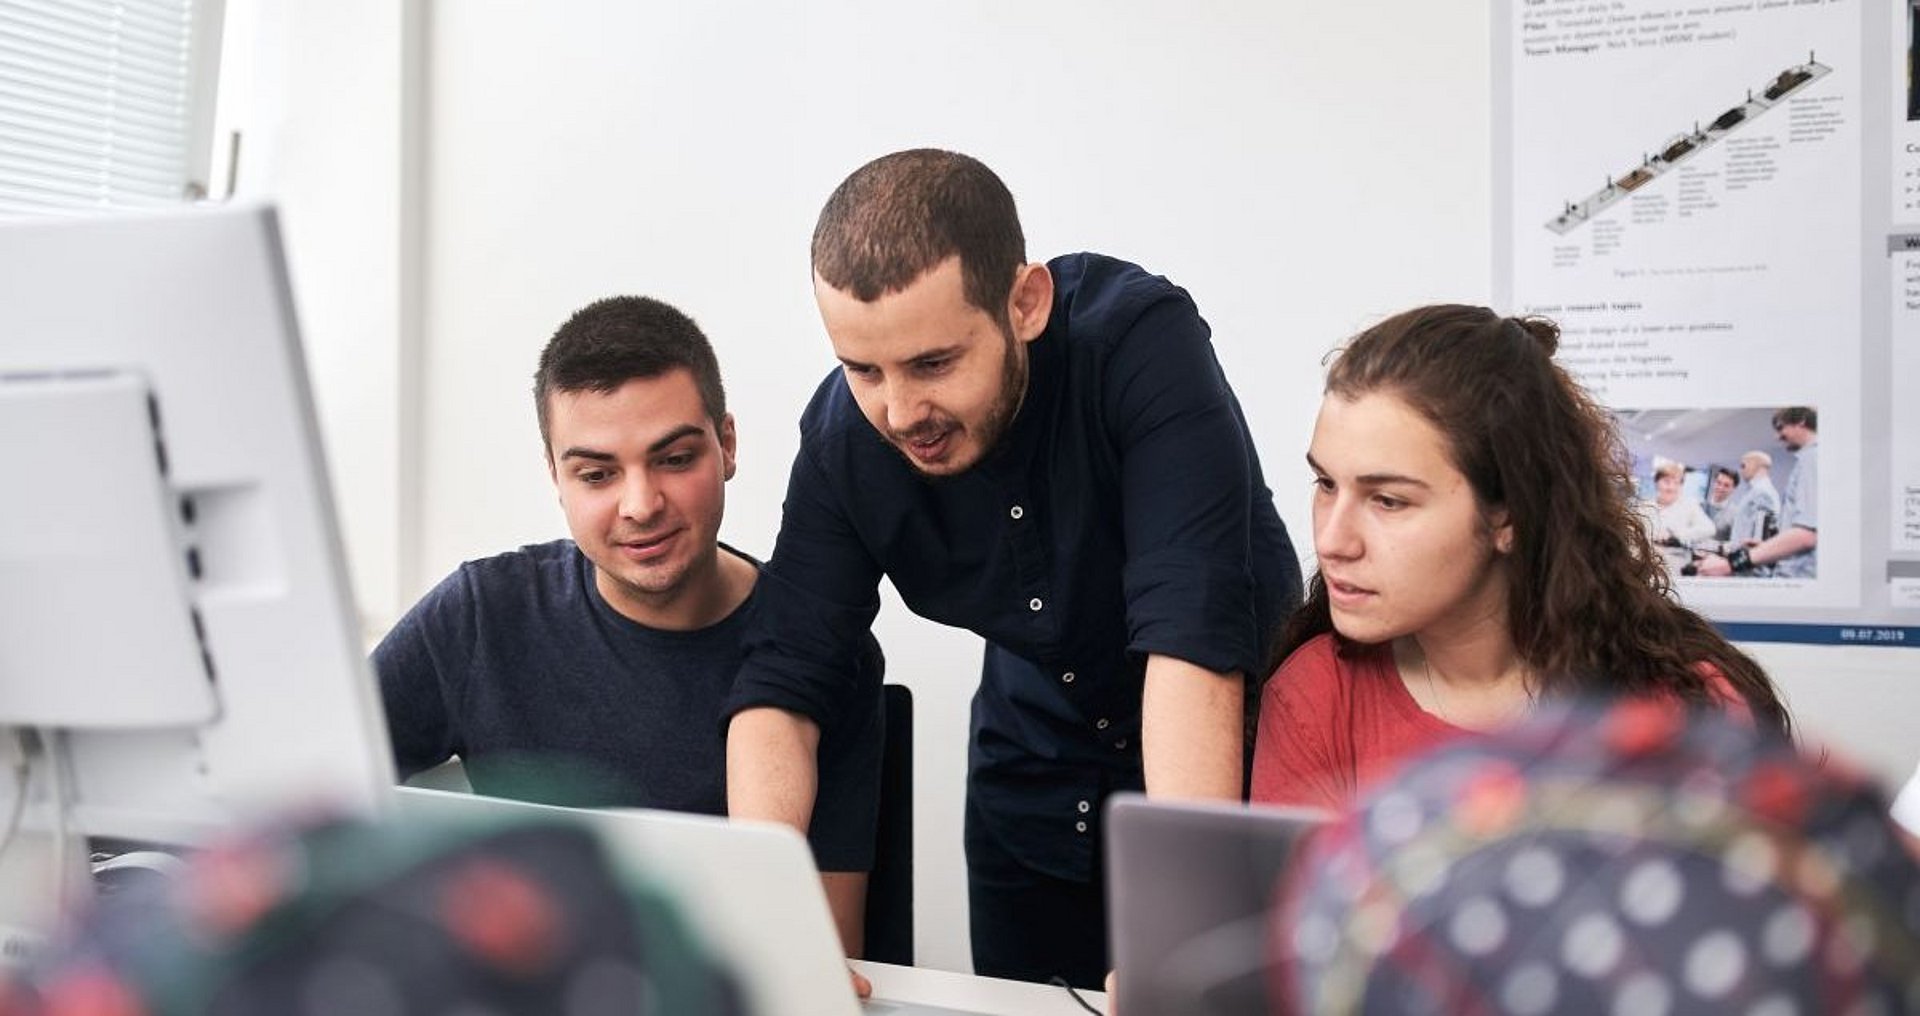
{"points": [[1188, 894]]}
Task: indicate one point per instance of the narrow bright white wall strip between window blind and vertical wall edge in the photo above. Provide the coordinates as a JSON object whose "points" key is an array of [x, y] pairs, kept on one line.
{"points": [[322, 137]]}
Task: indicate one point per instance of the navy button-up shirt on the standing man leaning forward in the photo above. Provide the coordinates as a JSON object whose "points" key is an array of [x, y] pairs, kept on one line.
{"points": [[1122, 514]]}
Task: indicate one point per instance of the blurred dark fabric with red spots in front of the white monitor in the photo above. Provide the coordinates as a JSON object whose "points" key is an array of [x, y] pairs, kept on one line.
{"points": [[381, 921]]}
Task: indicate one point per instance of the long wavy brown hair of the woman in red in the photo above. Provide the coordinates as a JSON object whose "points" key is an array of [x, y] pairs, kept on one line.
{"points": [[1591, 604]]}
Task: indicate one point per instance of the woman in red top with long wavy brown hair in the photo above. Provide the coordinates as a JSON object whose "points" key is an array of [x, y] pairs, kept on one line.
{"points": [[1477, 550]]}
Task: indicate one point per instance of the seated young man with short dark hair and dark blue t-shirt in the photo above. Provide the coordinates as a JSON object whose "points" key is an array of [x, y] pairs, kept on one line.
{"points": [[594, 671]]}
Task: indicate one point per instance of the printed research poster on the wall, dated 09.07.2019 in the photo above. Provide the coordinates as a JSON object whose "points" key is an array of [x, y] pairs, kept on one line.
{"points": [[1721, 206]]}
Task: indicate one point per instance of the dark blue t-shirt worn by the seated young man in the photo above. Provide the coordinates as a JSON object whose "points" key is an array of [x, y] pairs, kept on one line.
{"points": [[521, 669]]}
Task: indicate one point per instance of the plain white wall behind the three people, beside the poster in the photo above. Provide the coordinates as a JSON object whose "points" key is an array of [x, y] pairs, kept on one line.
{"points": [[1301, 168]]}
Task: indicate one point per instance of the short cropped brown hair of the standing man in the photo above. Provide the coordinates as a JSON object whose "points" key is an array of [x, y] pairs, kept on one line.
{"points": [[900, 216]]}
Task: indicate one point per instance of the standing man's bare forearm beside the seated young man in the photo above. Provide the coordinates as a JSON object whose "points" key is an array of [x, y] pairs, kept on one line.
{"points": [[773, 767]]}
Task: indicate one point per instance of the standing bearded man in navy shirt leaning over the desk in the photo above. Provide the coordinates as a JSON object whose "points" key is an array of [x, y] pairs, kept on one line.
{"points": [[1049, 456]]}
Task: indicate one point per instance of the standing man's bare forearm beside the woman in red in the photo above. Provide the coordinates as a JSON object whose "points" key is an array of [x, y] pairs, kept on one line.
{"points": [[1191, 731]]}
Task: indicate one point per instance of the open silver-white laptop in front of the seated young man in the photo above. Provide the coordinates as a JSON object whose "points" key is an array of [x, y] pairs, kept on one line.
{"points": [[754, 896]]}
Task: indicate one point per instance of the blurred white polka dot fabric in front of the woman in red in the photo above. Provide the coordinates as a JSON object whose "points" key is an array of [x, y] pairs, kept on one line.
{"points": [[1629, 861]]}
